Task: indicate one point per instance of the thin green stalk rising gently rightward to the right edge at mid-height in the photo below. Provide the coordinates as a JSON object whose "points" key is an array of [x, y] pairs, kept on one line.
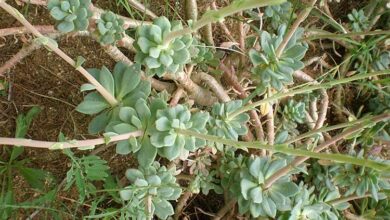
{"points": [[305, 90]]}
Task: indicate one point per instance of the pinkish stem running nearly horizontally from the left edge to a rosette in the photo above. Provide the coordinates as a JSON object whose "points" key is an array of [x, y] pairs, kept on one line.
{"points": [[71, 144]]}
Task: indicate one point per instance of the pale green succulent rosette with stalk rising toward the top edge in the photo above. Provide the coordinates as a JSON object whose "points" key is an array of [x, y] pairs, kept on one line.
{"points": [[157, 56]]}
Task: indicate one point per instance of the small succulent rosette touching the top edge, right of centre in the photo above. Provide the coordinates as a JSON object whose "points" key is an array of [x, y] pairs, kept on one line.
{"points": [[278, 14]]}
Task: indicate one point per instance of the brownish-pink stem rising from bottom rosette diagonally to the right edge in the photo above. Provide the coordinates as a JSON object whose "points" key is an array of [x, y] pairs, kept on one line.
{"points": [[299, 160]]}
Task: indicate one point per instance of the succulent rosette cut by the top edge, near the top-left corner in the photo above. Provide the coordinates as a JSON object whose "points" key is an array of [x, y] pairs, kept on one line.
{"points": [[71, 15]]}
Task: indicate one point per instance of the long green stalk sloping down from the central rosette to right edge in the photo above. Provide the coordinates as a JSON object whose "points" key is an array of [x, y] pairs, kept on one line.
{"points": [[283, 148]]}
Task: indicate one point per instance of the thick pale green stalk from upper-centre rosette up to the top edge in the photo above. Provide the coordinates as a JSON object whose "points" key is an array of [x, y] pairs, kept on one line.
{"points": [[213, 16]]}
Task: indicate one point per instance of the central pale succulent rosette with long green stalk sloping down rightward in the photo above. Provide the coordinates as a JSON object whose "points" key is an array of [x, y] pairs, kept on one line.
{"points": [[171, 144]]}
